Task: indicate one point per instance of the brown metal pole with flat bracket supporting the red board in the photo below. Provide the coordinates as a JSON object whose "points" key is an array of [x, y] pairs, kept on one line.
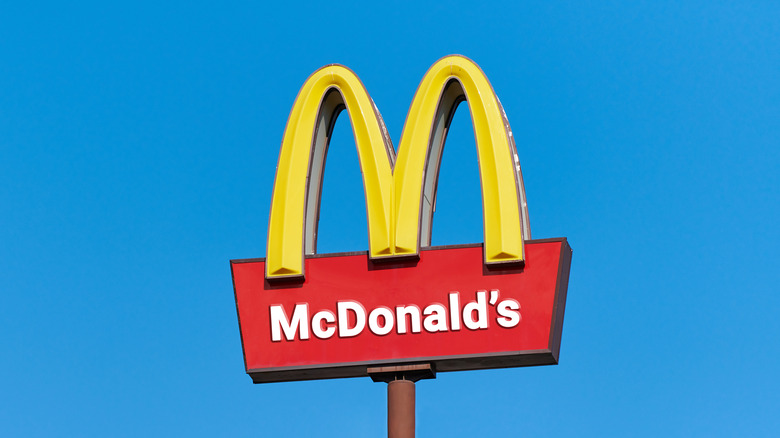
{"points": [[401, 395]]}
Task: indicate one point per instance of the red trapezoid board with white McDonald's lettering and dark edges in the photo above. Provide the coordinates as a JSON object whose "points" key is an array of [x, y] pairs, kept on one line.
{"points": [[446, 309]]}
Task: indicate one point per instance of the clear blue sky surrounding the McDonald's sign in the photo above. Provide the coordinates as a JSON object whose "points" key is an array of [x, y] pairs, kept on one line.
{"points": [[138, 144]]}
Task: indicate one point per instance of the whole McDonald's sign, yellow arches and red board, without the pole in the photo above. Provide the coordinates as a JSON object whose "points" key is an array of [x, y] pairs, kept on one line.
{"points": [[304, 315]]}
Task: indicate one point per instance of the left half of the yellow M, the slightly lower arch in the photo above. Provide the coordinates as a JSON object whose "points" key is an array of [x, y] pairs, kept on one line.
{"points": [[319, 101]]}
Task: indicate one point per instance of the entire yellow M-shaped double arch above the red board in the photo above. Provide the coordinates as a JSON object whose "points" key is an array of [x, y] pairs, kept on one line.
{"points": [[394, 196]]}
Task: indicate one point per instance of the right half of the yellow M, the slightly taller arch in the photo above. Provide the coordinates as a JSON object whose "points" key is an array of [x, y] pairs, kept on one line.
{"points": [[448, 82]]}
